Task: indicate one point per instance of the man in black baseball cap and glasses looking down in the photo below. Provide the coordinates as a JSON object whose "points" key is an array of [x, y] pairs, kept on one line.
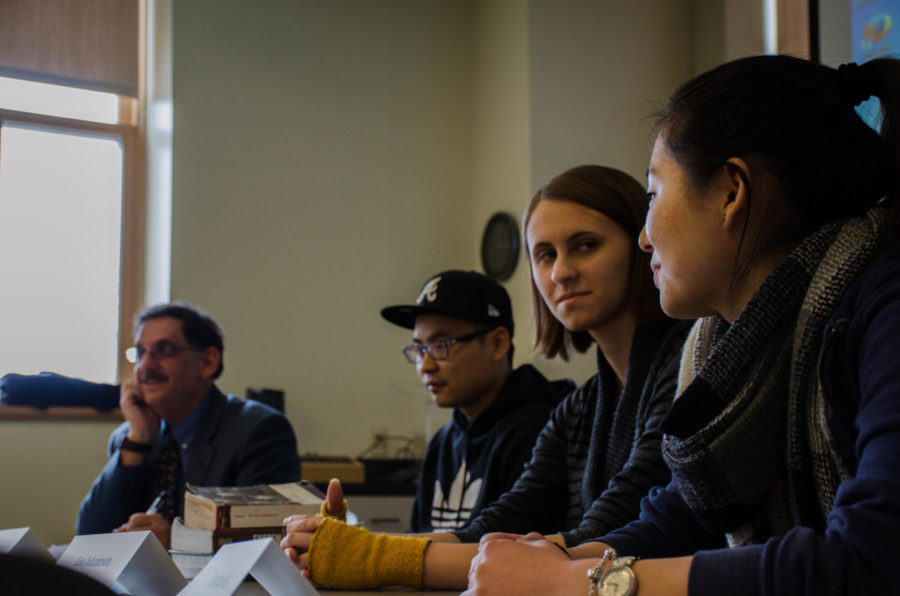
{"points": [[462, 348]]}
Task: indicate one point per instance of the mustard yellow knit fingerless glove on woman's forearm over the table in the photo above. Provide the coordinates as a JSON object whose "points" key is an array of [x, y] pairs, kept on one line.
{"points": [[351, 558]]}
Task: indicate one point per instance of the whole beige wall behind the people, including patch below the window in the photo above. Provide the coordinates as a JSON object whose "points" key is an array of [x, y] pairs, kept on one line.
{"points": [[329, 156]]}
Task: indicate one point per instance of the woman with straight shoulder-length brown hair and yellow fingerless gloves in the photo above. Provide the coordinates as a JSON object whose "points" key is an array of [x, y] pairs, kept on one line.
{"points": [[600, 452]]}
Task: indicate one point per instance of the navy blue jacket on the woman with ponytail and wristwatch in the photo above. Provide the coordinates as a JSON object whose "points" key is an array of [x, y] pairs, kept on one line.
{"points": [[857, 553]]}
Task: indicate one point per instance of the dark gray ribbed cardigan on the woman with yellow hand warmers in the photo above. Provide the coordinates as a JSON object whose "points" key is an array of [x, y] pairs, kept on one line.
{"points": [[598, 455]]}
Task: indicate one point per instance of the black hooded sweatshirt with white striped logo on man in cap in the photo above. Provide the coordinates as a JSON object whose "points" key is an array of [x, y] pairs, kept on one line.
{"points": [[472, 462]]}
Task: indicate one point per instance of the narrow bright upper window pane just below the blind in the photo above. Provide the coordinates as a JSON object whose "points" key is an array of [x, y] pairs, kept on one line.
{"points": [[55, 100]]}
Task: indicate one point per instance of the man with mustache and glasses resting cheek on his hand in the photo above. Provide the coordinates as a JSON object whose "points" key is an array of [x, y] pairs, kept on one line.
{"points": [[180, 428]]}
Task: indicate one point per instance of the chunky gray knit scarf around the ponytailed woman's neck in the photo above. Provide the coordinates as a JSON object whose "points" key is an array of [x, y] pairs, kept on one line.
{"points": [[747, 439]]}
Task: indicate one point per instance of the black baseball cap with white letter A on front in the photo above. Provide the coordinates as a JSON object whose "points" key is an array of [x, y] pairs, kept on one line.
{"points": [[466, 295]]}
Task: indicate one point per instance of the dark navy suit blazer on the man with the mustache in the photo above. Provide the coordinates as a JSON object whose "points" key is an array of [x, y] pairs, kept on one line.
{"points": [[238, 443]]}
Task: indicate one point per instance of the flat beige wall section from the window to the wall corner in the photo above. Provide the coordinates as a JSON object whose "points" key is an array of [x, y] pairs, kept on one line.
{"points": [[322, 170]]}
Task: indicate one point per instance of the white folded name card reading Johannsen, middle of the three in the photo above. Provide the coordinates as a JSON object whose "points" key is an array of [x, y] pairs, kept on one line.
{"points": [[133, 561]]}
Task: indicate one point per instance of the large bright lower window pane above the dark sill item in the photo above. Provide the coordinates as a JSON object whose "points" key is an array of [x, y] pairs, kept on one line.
{"points": [[60, 212]]}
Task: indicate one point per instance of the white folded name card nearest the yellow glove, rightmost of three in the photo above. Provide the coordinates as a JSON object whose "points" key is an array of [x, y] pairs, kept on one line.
{"points": [[261, 558]]}
